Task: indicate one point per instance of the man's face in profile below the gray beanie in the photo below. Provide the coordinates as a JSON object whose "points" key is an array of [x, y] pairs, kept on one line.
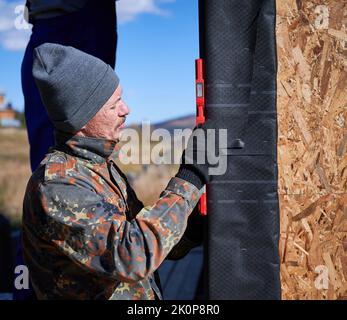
{"points": [[109, 121]]}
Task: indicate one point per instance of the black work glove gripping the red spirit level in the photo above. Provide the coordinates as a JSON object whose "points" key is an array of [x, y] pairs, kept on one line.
{"points": [[194, 162]]}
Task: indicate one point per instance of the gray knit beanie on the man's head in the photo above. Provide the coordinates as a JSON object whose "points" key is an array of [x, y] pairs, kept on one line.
{"points": [[73, 85]]}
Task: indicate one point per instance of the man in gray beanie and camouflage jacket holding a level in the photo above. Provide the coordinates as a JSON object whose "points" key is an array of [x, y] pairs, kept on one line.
{"points": [[85, 233]]}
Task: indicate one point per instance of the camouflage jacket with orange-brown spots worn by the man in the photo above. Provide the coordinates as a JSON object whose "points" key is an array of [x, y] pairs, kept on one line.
{"points": [[85, 233]]}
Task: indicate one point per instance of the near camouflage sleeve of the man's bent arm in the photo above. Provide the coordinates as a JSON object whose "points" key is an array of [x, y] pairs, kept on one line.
{"points": [[96, 235]]}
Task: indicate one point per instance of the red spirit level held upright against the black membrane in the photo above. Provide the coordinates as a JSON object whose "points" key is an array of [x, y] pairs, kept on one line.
{"points": [[200, 115]]}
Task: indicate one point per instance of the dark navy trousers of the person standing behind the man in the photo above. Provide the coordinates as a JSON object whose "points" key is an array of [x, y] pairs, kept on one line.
{"points": [[93, 30]]}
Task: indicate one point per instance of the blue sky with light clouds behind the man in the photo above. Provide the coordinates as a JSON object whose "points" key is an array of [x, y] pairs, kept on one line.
{"points": [[158, 43]]}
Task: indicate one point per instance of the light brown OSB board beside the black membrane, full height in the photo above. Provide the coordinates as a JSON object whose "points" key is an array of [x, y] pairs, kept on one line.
{"points": [[312, 147]]}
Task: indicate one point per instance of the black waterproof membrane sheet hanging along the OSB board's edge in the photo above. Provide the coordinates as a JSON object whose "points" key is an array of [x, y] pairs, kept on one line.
{"points": [[237, 43]]}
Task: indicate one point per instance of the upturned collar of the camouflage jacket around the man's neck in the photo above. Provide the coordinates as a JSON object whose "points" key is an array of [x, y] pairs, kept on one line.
{"points": [[93, 149]]}
